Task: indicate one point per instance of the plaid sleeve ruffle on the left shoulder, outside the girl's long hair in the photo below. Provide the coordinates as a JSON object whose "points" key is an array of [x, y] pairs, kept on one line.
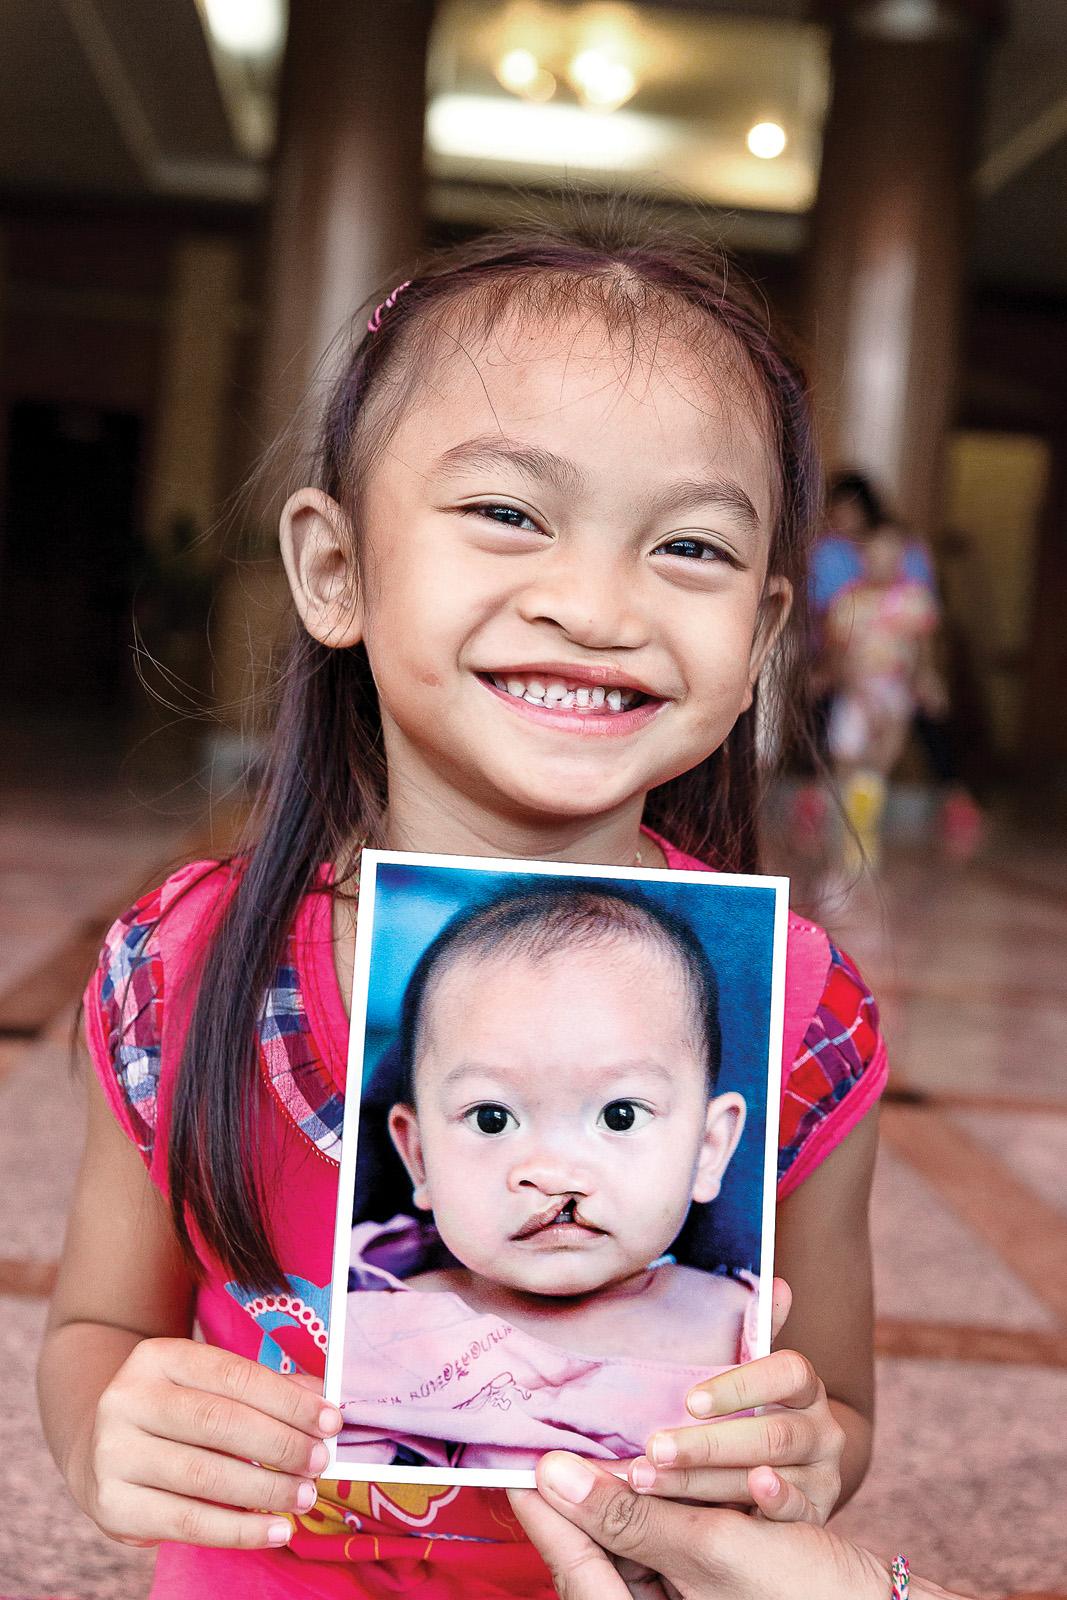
{"points": [[129, 994]]}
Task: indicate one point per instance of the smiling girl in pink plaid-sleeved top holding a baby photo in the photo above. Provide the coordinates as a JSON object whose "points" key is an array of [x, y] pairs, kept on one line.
{"points": [[564, 465]]}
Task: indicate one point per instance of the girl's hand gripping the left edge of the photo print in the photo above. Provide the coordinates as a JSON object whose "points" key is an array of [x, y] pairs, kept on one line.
{"points": [[174, 1444]]}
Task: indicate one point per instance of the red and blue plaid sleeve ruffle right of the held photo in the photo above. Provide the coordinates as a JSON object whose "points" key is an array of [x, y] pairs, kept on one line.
{"points": [[842, 1057]]}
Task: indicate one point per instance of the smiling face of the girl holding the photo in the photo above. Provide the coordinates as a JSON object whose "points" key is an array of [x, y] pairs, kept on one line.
{"points": [[564, 574]]}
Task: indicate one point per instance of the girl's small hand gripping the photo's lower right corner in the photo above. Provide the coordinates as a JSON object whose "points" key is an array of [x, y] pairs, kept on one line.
{"points": [[721, 1462]]}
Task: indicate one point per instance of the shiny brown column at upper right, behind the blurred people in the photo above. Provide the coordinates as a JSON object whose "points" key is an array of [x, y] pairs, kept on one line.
{"points": [[887, 262]]}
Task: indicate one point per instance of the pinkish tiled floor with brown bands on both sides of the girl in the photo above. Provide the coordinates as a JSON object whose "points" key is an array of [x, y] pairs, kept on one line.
{"points": [[970, 1212]]}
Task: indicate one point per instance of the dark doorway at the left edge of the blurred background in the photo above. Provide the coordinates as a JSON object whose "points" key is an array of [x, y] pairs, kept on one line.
{"points": [[70, 561]]}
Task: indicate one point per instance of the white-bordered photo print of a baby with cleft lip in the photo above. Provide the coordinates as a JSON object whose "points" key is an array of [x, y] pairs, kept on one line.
{"points": [[559, 1159]]}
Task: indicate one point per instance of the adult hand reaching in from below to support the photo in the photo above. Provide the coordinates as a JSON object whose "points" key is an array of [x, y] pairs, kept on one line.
{"points": [[602, 1542]]}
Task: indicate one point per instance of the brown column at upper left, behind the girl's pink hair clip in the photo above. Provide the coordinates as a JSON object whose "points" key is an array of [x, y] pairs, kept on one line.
{"points": [[345, 218]]}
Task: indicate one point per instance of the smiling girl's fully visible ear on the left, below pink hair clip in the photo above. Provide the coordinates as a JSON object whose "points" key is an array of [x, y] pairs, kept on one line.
{"points": [[319, 556]]}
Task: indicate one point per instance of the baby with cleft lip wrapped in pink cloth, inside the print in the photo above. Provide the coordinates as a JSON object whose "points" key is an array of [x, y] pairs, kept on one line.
{"points": [[559, 1116]]}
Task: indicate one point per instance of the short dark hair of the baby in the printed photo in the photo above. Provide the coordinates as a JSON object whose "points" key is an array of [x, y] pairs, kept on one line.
{"points": [[549, 916]]}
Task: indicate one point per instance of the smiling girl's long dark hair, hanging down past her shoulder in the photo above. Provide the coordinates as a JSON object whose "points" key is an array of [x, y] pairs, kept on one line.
{"points": [[326, 788]]}
